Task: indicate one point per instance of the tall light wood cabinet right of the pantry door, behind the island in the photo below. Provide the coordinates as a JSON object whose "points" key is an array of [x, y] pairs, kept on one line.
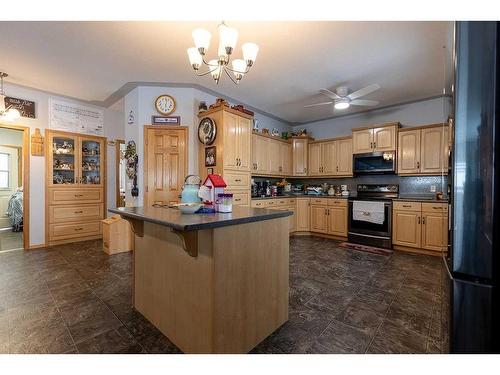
{"points": [[233, 143]]}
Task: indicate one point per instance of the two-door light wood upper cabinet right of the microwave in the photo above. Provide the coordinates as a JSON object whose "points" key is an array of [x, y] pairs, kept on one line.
{"points": [[423, 150]]}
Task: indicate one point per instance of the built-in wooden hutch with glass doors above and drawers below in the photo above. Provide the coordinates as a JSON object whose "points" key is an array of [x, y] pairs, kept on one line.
{"points": [[75, 186]]}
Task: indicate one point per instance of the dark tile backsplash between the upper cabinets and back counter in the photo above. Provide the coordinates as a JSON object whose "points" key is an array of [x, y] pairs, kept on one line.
{"points": [[408, 185]]}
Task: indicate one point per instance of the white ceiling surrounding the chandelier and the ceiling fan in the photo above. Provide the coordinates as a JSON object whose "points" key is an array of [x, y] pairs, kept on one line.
{"points": [[92, 60]]}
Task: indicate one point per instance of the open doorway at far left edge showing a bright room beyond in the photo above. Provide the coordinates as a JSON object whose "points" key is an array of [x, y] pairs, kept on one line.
{"points": [[14, 187]]}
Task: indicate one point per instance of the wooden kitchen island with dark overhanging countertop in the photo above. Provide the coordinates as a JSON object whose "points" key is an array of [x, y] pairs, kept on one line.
{"points": [[211, 283]]}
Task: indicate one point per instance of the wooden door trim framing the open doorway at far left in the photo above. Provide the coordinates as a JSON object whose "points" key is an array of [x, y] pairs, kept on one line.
{"points": [[26, 180]]}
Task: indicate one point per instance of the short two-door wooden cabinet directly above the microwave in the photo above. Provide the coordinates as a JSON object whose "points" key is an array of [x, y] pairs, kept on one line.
{"points": [[379, 138]]}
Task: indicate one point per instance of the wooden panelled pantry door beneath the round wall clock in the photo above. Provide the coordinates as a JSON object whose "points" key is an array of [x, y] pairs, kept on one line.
{"points": [[166, 168]]}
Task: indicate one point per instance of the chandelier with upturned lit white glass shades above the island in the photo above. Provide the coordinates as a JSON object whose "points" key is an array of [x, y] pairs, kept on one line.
{"points": [[228, 37]]}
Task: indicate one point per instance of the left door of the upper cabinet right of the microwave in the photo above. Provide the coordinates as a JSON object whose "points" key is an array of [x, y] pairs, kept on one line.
{"points": [[409, 152]]}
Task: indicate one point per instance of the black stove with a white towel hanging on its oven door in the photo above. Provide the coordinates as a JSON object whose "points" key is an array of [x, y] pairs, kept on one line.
{"points": [[369, 233]]}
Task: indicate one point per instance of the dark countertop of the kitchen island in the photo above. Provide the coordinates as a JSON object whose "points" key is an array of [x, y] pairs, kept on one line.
{"points": [[173, 218]]}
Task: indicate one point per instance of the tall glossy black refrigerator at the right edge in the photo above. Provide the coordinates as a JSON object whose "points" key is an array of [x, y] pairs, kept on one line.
{"points": [[471, 270]]}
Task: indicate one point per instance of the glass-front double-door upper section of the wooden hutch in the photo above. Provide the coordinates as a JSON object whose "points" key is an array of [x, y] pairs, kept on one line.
{"points": [[74, 160]]}
